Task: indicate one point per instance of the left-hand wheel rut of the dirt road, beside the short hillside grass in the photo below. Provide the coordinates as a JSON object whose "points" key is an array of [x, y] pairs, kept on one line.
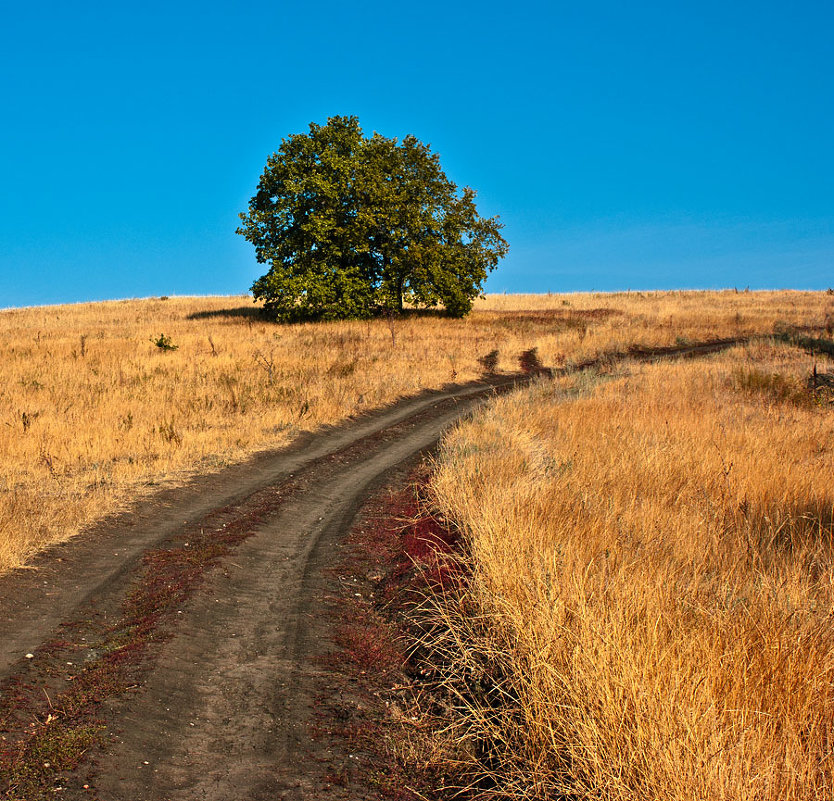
{"points": [[96, 566]]}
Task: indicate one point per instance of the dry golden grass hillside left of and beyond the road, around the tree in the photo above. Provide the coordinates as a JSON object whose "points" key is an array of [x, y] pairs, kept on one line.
{"points": [[94, 414]]}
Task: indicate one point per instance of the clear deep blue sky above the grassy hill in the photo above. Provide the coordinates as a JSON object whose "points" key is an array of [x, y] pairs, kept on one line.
{"points": [[625, 145]]}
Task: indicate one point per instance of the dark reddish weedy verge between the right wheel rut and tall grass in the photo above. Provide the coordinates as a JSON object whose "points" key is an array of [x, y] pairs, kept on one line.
{"points": [[395, 554]]}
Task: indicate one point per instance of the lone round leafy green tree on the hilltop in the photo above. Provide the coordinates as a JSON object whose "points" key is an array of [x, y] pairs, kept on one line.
{"points": [[353, 226]]}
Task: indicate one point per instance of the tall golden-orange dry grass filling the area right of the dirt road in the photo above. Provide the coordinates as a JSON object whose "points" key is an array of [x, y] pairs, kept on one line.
{"points": [[650, 612]]}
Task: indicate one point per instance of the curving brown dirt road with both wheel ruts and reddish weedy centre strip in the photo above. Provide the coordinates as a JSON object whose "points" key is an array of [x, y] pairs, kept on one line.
{"points": [[178, 645]]}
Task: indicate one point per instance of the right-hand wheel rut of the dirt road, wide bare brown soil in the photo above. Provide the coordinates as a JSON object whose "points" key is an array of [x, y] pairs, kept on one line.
{"points": [[225, 712]]}
